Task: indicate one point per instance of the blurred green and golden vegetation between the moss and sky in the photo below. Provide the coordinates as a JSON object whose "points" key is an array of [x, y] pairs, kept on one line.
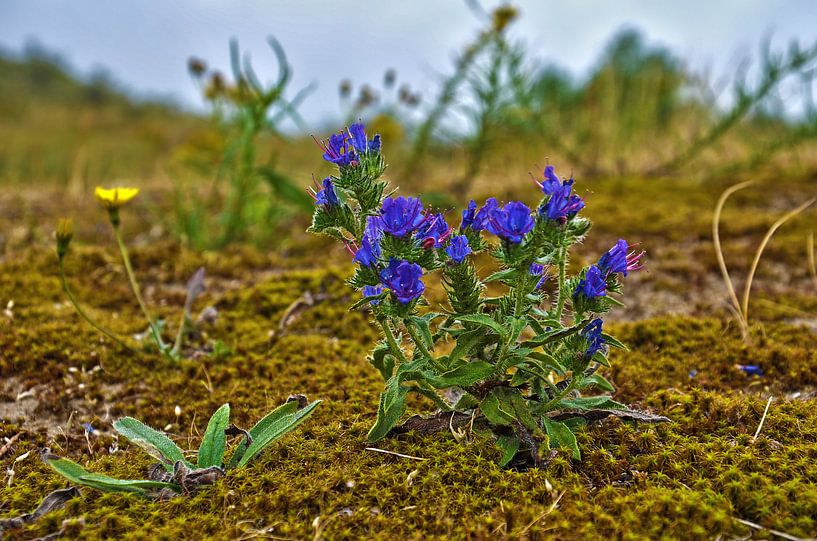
{"points": [[233, 173]]}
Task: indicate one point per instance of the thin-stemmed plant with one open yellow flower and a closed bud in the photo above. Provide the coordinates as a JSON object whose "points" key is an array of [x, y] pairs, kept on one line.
{"points": [[113, 199]]}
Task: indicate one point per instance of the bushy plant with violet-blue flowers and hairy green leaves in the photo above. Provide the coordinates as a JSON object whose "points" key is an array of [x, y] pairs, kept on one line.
{"points": [[523, 364]]}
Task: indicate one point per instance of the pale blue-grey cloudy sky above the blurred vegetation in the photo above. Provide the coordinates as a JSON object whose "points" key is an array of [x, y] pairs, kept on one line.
{"points": [[145, 44]]}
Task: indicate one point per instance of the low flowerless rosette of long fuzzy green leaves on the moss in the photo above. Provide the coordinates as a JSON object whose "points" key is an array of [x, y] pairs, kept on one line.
{"points": [[174, 474]]}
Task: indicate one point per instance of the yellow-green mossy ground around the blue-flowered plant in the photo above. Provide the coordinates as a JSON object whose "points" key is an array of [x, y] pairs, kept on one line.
{"points": [[692, 478]]}
